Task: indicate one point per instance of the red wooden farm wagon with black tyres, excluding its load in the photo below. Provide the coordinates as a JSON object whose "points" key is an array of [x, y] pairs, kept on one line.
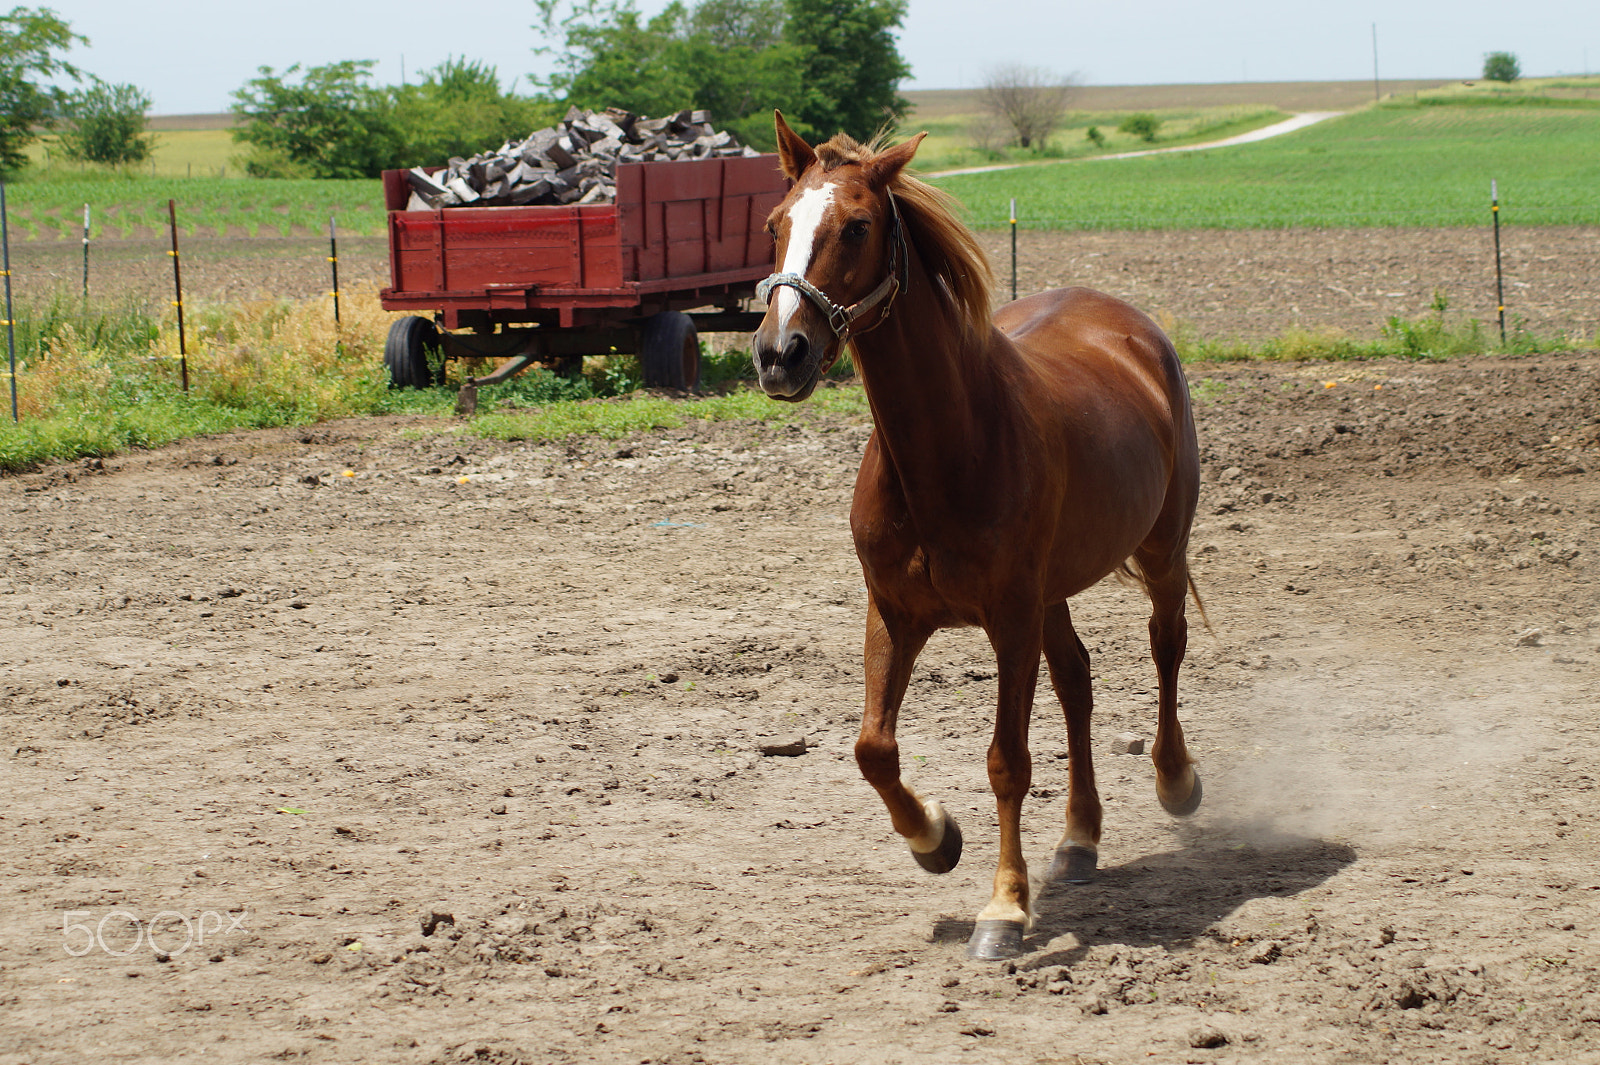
{"points": [[550, 284]]}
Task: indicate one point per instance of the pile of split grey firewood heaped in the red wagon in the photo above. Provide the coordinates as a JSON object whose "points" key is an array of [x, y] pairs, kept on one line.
{"points": [[570, 164]]}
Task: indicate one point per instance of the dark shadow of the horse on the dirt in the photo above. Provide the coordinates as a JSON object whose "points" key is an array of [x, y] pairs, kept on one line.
{"points": [[1170, 898]]}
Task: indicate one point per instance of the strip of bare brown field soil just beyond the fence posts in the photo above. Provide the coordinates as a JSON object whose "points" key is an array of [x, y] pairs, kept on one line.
{"points": [[1222, 285]]}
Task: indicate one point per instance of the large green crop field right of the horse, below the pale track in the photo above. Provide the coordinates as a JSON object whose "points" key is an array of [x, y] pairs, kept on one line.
{"points": [[1418, 162]]}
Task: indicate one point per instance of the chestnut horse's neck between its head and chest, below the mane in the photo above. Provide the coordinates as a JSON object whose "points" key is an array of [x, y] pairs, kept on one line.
{"points": [[935, 389]]}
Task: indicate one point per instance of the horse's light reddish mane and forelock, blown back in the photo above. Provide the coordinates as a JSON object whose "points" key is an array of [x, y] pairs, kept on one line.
{"points": [[948, 250]]}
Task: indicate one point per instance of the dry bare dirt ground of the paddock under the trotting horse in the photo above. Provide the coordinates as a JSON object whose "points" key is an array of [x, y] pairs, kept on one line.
{"points": [[377, 743]]}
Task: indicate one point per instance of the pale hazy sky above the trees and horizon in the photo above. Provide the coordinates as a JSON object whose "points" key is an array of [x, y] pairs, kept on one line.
{"points": [[191, 55]]}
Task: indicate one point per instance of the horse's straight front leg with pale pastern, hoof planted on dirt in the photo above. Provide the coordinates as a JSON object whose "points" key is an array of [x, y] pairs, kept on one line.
{"points": [[1009, 915]]}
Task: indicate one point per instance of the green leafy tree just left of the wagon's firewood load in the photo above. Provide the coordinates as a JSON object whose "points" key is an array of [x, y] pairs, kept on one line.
{"points": [[330, 124]]}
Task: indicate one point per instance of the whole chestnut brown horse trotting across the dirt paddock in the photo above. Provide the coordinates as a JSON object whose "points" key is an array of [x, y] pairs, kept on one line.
{"points": [[1015, 463]]}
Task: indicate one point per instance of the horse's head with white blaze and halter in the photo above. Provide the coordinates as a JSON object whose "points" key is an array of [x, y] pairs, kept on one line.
{"points": [[841, 257]]}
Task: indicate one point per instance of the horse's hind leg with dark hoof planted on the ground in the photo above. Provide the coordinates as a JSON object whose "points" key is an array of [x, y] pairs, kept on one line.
{"points": [[1078, 855]]}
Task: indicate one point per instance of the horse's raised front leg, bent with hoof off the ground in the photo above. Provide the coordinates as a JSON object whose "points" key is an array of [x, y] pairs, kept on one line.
{"points": [[892, 650]]}
